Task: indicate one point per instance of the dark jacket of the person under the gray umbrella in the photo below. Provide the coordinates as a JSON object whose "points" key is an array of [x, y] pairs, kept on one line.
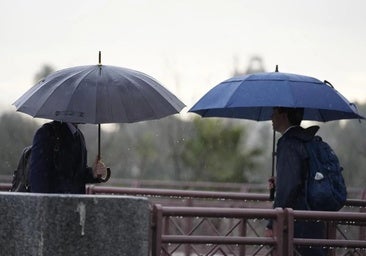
{"points": [[59, 167]]}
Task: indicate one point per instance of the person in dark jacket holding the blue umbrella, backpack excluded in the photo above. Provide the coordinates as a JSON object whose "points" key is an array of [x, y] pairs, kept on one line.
{"points": [[290, 179]]}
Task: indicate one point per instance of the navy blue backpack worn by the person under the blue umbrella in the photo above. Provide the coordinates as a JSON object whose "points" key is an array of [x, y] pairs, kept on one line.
{"points": [[325, 189]]}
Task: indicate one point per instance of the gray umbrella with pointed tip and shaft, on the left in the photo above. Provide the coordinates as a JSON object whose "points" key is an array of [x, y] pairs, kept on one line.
{"points": [[98, 94]]}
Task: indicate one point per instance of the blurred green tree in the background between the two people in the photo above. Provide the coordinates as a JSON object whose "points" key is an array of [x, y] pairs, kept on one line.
{"points": [[215, 152]]}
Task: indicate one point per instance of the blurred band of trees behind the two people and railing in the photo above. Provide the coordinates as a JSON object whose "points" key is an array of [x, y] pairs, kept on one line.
{"points": [[191, 148]]}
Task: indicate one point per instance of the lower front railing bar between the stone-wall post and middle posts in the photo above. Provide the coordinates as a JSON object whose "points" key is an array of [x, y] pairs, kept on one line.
{"points": [[175, 239]]}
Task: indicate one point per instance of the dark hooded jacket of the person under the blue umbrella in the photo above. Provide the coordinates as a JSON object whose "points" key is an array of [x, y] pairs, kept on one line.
{"points": [[291, 167]]}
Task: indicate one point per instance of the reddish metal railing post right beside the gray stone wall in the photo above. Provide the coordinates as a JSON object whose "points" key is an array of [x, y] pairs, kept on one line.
{"points": [[157, 223]]}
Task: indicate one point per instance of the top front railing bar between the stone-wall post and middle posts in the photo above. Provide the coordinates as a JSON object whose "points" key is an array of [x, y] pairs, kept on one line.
{"points": [[218, 212]]}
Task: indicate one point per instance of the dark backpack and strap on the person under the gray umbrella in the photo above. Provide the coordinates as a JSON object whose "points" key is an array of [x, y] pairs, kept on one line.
{"points": [[20, 181]]}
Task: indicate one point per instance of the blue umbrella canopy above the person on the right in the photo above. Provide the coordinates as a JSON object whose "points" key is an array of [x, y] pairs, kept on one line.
{"points": [[254, 96]]}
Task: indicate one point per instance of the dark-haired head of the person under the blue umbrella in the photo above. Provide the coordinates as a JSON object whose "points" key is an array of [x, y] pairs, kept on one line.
{"points": [[283, 118]]}
